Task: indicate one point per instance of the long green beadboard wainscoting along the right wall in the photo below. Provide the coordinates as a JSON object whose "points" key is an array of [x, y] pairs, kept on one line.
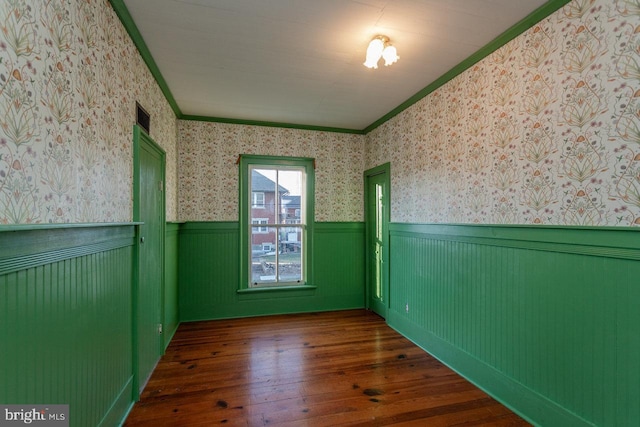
{"points": [[546, 319]]}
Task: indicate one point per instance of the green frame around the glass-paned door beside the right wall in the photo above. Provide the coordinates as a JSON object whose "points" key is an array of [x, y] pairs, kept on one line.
{"points": [[384, 169]]}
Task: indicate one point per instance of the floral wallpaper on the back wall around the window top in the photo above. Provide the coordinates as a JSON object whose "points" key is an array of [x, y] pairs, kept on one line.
{"points": [[208, 183]]}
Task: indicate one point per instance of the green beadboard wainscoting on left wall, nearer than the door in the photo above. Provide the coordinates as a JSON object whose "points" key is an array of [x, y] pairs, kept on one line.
{"points": [[66, 324]]}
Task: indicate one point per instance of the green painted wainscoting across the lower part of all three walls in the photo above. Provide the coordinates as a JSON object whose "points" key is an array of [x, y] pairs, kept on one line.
{"points": [[543, 318]]}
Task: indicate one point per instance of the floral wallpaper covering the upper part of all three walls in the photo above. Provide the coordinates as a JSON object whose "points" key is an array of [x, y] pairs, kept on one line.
{"points": [[546, 130]]}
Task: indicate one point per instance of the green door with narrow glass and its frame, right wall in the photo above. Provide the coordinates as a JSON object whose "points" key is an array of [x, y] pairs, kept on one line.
{"points": [[377, 207]]}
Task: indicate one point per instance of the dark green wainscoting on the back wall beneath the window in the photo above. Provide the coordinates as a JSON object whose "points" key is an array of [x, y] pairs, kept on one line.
{"points": [[209, 265]]}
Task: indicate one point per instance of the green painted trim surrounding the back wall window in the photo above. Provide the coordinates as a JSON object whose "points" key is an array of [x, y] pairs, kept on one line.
{"points": [[247, 162]]}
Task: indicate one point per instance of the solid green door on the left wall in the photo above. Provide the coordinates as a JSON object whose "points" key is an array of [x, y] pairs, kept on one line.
{"points": [[149, 209]]}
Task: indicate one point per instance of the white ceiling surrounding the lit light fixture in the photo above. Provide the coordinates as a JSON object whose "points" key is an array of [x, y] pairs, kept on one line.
{"points": [[300, 61]]}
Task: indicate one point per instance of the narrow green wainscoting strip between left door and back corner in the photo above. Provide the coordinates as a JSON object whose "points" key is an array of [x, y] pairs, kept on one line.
{"points": [[170, 314]]}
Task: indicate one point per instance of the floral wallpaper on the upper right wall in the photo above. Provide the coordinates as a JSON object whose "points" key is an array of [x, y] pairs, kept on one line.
{"points": [[546, 130]]}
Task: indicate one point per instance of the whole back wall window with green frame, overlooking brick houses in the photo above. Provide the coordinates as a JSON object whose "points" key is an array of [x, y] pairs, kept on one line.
{"points": [[276, 208]]}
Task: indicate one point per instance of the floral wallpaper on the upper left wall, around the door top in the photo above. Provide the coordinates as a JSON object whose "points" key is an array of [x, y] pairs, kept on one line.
{"points": [[69, 79]]}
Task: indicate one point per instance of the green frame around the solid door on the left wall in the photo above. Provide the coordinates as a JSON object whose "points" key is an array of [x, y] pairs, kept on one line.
{"points": [[140, 139]]}
